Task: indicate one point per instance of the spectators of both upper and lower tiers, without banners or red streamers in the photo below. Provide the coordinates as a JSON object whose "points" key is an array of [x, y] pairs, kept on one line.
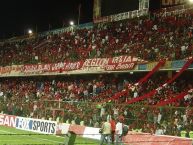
{"points": [[79, 97]]}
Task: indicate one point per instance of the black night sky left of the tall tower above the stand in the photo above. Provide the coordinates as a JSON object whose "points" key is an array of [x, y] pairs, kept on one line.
{"points": [[18, 16]]}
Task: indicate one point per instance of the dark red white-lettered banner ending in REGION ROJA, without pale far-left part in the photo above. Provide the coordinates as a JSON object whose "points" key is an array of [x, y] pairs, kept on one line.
{"points": [[108, 64]]}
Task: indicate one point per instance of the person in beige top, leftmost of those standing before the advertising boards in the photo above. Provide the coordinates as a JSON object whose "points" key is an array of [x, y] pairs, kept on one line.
{"points": [[105, 132]]}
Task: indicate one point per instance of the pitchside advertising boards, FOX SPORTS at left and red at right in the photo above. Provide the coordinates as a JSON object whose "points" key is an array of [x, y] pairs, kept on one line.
{"points": [[52, 127]]}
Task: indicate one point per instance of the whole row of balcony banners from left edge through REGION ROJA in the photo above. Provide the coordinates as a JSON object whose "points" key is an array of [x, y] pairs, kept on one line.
{"points": [[95, 64]]}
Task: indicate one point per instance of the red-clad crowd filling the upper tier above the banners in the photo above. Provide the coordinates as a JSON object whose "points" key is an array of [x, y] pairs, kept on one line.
{"points": [[147, 38]]}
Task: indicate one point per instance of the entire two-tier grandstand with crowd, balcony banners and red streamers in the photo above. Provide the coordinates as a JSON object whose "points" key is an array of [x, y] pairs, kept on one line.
{"points": [[140, 69]]}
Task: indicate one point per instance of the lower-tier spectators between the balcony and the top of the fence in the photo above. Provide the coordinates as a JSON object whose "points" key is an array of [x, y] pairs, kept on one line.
{"points": [[95, 88]]}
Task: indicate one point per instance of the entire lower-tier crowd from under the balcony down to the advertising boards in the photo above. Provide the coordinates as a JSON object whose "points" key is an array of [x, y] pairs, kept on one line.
{"points": [[31, 96]]}
